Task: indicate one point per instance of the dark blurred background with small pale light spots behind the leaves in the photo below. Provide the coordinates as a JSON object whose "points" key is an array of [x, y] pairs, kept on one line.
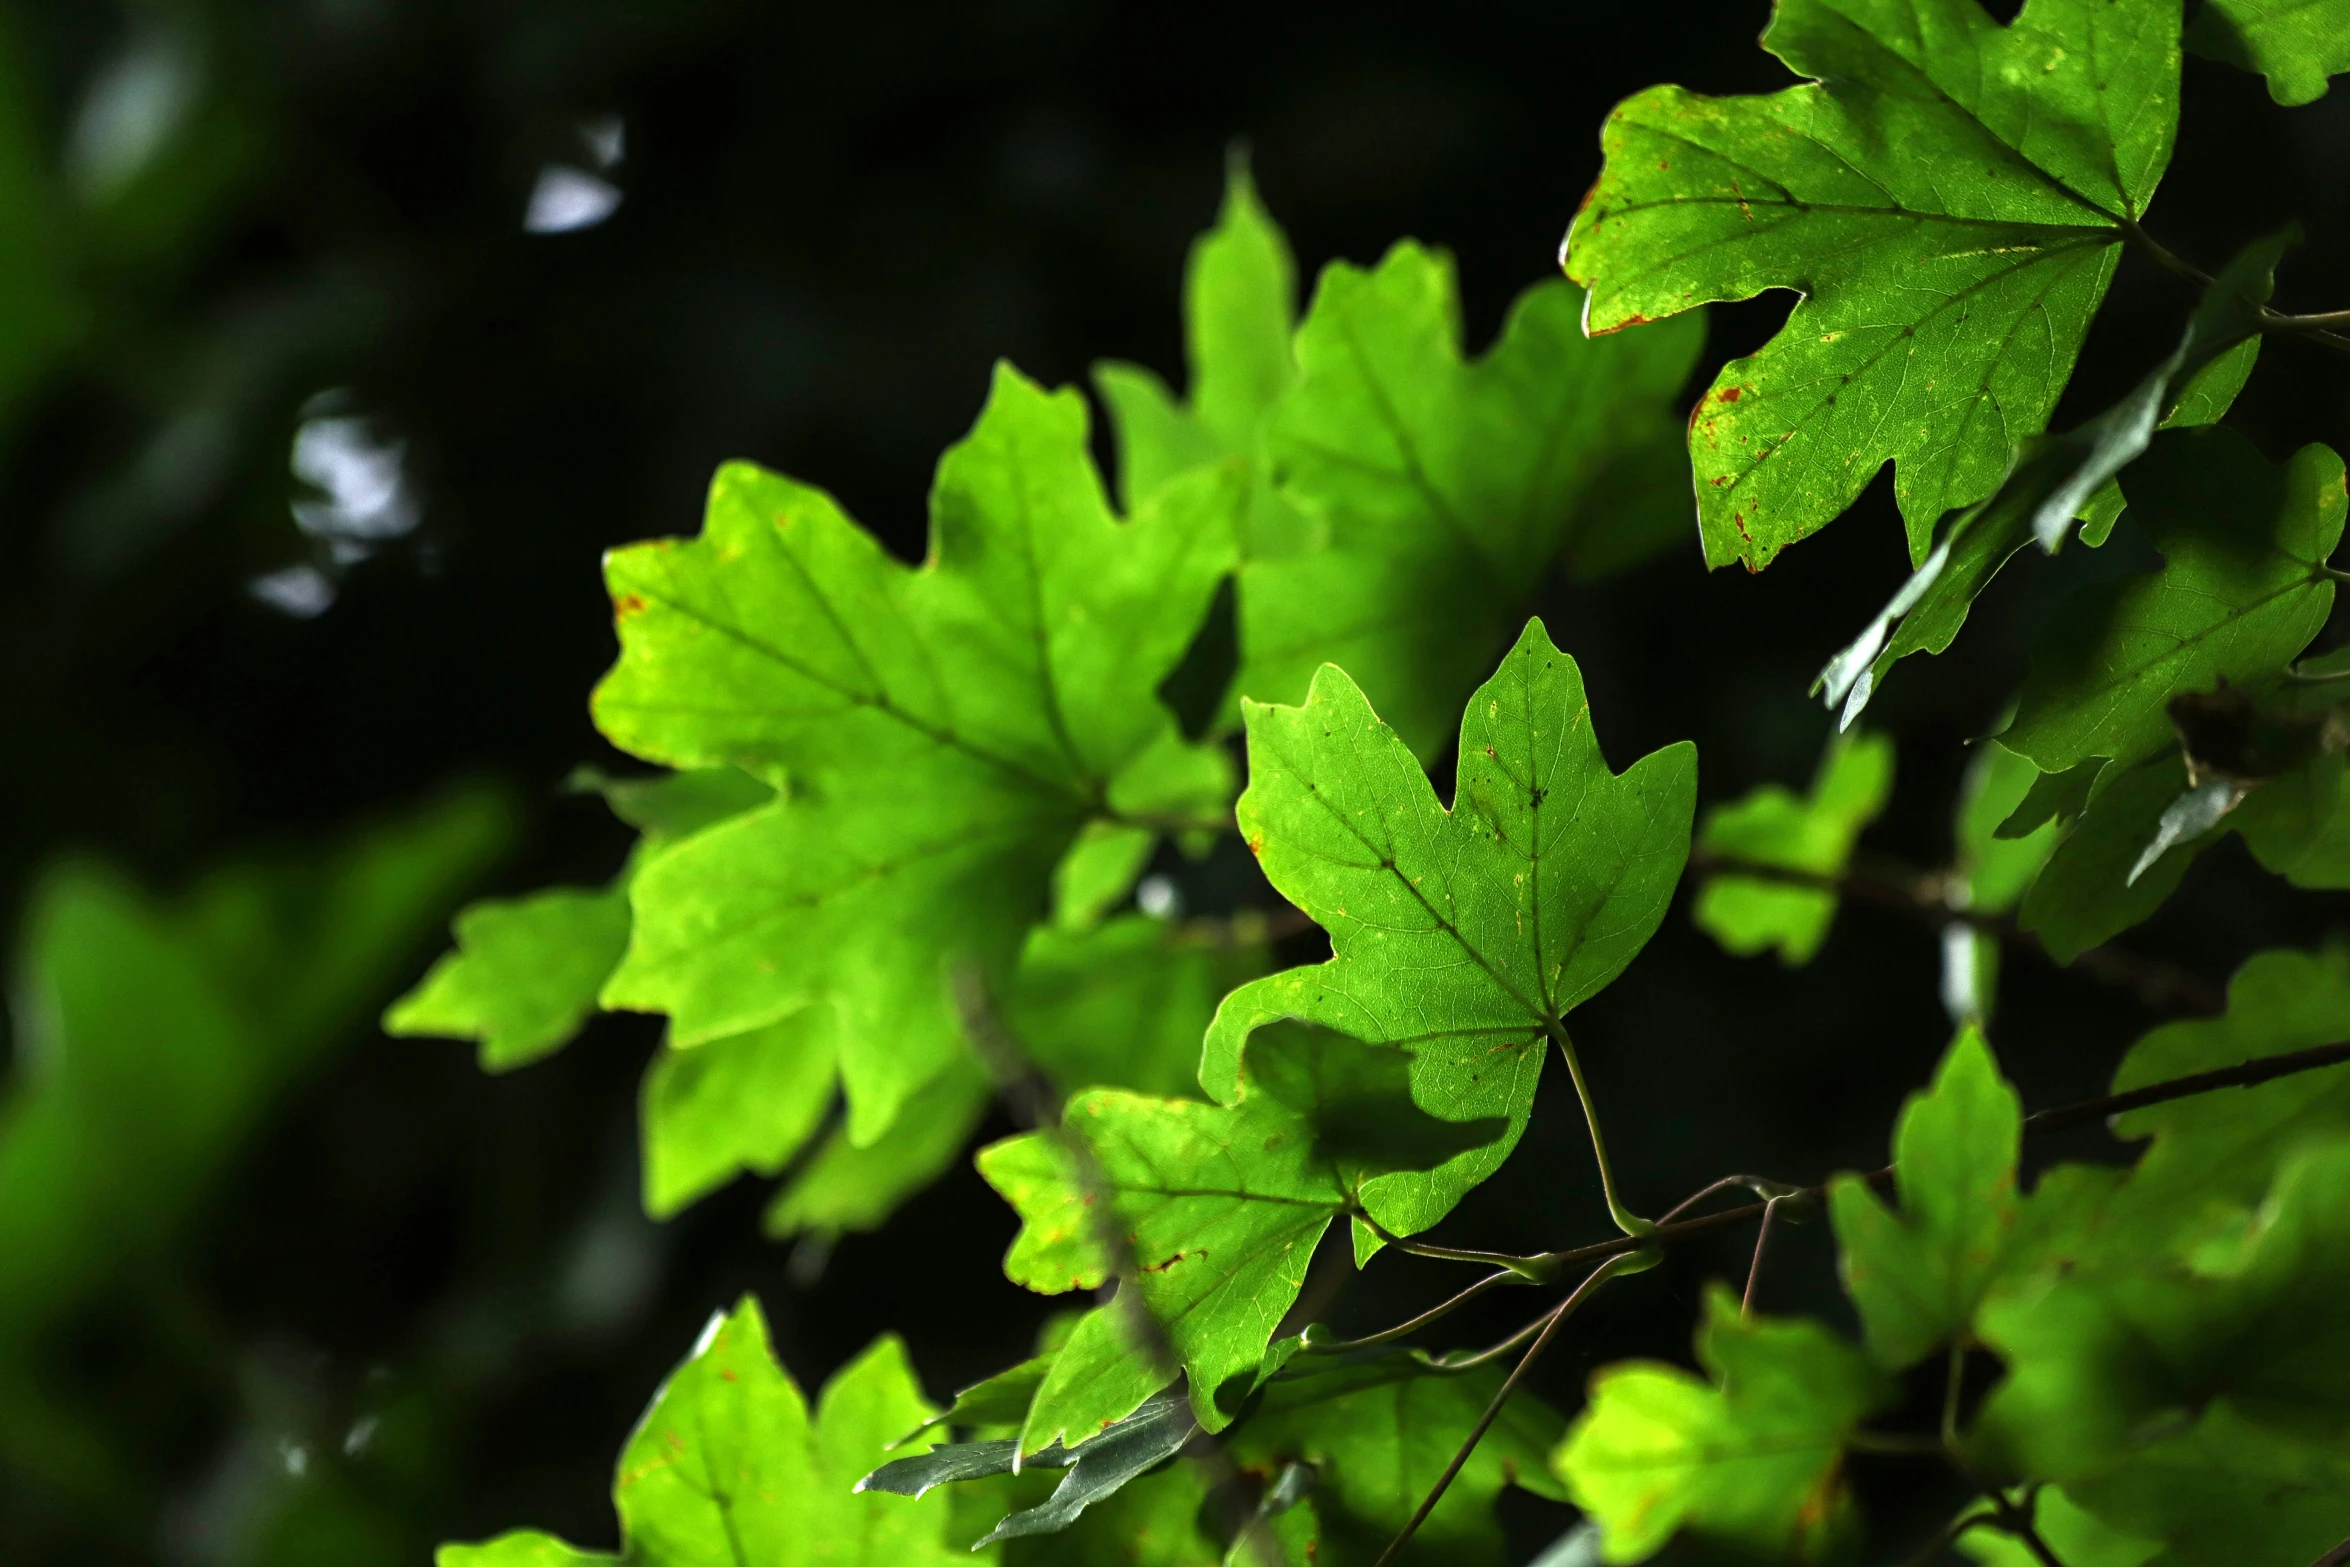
{"points": [[340, 339]]}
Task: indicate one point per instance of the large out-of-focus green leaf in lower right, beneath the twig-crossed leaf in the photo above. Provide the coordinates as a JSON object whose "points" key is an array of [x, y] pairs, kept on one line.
{"points": [[2241, 1307]]}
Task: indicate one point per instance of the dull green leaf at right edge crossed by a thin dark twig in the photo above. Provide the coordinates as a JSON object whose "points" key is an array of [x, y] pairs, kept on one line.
{"points": [[2229, 1145]]}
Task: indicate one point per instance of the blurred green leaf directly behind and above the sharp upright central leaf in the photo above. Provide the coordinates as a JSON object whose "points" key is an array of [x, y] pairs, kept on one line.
{"points": [[1442, 487]]}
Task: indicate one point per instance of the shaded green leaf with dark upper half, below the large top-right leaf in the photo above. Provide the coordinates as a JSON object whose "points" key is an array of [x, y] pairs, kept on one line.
{"points": [[2238, 598]]}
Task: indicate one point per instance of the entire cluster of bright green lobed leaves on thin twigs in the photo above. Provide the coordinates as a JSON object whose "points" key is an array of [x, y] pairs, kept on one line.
{"points": [[908, 805]]}
